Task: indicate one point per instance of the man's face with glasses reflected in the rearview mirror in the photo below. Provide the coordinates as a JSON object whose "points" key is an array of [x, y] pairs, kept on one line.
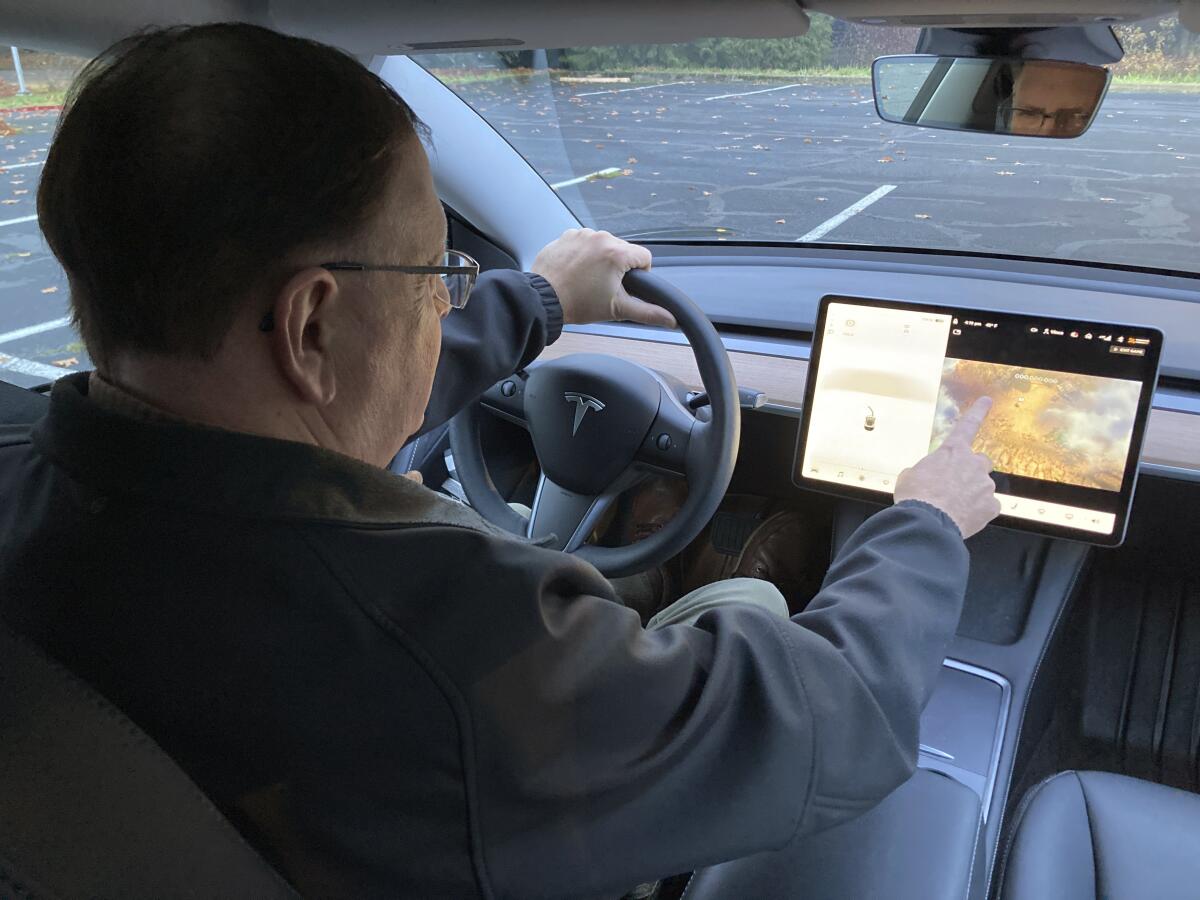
{"points": [[1053, 100]]}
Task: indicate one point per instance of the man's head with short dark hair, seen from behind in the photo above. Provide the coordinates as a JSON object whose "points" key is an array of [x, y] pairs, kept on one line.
{"points": [[199, 179]]}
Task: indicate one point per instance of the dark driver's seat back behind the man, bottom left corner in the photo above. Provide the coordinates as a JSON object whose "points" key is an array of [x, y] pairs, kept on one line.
{"points": [[92, 807]]}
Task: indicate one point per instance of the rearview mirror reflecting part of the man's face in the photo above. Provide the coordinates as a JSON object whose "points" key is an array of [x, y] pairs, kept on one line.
{"points": [[1031, 98]]}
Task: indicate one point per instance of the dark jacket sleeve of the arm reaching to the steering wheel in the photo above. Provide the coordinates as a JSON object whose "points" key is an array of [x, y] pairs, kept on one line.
{"points": [[511, 320]]}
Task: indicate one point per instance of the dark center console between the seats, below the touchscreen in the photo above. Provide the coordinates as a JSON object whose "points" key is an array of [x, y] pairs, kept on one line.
{"points": [[938, 836]]}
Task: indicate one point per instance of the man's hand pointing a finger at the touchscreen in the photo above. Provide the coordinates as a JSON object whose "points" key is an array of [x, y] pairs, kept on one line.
{"points": [[955, 479]]}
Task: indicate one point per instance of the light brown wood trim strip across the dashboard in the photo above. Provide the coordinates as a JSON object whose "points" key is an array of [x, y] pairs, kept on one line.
{"points": [[1173, 439]]}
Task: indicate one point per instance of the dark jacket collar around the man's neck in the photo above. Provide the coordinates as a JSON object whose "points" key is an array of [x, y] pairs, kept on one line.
{"points": [[227, 472]]}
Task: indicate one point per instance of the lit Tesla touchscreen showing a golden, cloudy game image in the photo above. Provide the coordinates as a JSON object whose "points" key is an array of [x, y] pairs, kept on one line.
{"points": [[889, 380]]}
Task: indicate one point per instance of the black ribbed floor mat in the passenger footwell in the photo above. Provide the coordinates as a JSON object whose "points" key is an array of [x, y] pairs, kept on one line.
{"points": [[1130, 691]]}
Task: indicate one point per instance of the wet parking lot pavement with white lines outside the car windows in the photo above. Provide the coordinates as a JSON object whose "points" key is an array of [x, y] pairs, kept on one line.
{"points": [[761, 160]]}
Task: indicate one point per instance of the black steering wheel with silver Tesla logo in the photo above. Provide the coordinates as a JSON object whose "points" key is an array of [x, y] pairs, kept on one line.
{"points": [[601, 425]]}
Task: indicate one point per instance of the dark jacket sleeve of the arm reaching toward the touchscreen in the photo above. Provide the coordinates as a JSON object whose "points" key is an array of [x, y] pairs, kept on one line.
{"points": [[605, 755]]}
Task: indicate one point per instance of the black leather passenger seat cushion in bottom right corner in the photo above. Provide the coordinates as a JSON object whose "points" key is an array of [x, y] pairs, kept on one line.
{"points": [[1087, 836]]}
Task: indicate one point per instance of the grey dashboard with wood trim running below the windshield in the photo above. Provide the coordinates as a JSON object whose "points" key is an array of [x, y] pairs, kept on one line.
{"points": [[766, 302]]}
